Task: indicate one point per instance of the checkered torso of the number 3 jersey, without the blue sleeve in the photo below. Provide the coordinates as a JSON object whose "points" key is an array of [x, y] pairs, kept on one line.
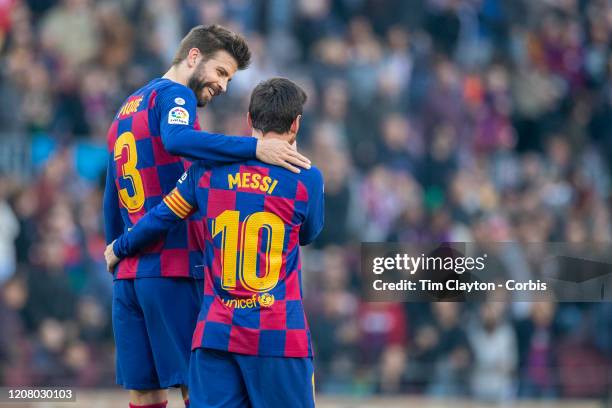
{"points": [[144, 172]]}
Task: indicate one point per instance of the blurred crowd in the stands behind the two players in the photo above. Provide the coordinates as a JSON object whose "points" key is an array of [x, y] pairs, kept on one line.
{"points": [[459, 120]]}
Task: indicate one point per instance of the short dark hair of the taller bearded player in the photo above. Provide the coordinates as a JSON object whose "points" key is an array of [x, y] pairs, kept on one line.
{"points": [[213, 38]]}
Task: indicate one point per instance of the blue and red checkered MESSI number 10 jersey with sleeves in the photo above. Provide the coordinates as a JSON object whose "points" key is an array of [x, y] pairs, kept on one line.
{"points": [[254, 217]]}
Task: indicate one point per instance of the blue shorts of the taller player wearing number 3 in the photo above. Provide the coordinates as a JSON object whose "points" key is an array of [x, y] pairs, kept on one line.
{"points": [[153, 322]]}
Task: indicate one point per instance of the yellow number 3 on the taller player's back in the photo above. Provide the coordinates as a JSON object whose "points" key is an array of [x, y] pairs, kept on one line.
{"points": [[126, 156]]}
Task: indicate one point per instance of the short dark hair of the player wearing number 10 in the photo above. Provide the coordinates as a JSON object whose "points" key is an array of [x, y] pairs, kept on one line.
{"points": [[275, 103]]}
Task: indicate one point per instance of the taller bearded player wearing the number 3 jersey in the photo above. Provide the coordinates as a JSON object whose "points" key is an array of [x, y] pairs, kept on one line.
{"points": [[157, 293]]}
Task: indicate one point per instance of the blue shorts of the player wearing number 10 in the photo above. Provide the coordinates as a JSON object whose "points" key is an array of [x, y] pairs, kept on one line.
{"points": [[223, 379]]}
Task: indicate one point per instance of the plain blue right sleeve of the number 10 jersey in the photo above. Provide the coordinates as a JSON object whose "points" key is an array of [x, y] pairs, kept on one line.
{"points": [[313, 224]]}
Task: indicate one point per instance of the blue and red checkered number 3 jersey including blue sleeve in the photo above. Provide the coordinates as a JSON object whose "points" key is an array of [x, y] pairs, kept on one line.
{"points": [[154, 127]]}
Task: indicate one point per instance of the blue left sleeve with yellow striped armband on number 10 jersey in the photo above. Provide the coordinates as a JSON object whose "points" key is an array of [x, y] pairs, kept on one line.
{"points": [[179, 204]]}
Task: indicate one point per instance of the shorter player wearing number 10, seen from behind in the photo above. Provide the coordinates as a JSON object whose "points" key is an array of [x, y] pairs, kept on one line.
{"points": [[251, 345]]}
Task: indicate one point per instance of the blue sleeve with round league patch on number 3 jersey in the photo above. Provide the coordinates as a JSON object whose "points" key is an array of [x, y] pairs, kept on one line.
{"points": [[177, 107]]}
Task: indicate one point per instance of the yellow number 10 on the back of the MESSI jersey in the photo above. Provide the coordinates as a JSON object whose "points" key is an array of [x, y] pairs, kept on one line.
{"points": [[228, 225]]}
